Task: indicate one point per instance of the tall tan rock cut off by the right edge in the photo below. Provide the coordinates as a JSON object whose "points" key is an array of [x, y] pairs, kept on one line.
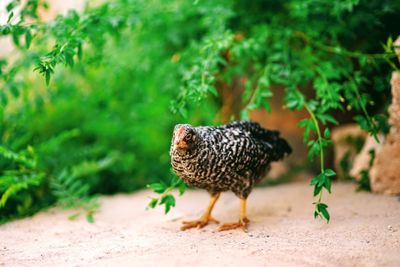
{"points": [[384, 173]]}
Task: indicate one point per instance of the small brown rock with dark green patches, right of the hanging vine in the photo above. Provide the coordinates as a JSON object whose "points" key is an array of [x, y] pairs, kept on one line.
{"points": [[347, 141]]}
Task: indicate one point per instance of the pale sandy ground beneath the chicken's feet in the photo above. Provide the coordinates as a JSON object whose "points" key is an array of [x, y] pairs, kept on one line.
{"points": [[364, 231]]}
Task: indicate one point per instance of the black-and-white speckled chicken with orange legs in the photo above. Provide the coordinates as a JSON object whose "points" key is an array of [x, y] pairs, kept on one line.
{"points": [[231, 157]]}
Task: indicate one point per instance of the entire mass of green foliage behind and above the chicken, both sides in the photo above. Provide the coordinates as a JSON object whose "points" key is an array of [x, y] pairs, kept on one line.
{"points": [[112, 71]]}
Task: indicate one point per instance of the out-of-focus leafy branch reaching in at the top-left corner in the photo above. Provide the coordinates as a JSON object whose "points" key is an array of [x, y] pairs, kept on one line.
{"points": [[69, 32]]}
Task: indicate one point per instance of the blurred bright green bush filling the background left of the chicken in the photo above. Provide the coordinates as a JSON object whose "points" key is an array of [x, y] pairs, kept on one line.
{"points": [[92, 127]]}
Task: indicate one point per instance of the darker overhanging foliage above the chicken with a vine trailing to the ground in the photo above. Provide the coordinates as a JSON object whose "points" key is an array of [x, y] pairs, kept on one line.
{"points": [[303, 45]]}
